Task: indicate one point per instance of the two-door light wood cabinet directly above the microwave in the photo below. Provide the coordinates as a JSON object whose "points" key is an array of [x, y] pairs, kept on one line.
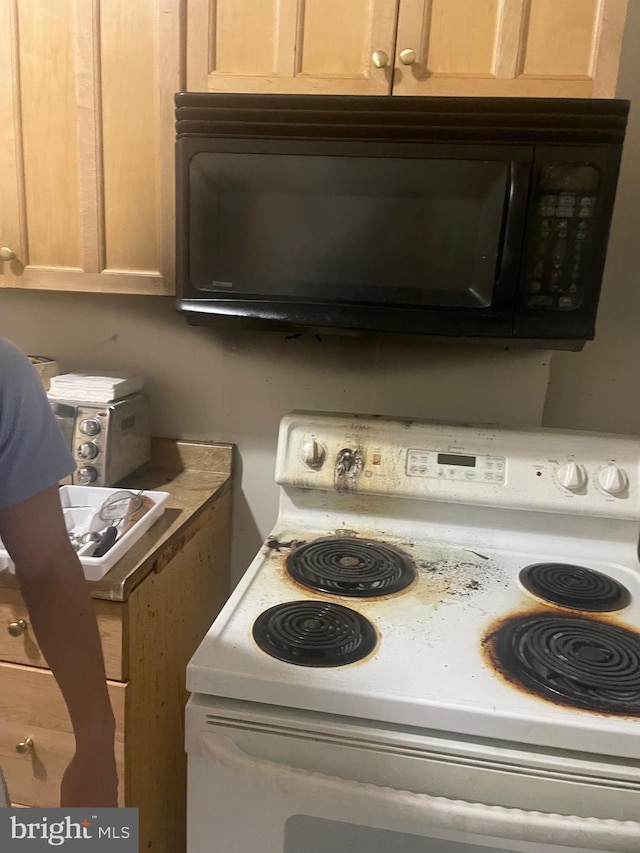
{"points": [[543, 48]]}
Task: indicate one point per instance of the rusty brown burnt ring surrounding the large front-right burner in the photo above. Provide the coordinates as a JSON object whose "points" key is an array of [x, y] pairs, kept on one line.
{"points": [[501, 670]]}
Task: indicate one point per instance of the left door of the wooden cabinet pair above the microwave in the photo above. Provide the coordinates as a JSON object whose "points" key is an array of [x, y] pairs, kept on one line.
{"points": [[302, 46]]}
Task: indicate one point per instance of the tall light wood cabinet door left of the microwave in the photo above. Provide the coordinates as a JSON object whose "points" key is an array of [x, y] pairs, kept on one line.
{"points": [[86, 144]]}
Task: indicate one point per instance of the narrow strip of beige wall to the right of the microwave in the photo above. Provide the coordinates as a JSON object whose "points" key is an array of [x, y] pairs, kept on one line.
{"points": [[599, 388]]}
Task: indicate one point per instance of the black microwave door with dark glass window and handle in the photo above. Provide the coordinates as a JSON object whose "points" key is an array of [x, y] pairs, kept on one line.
{"points": [[427, 241]]}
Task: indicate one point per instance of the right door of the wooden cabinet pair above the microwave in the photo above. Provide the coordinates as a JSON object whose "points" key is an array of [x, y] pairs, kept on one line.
{"points": [[542, 48]]}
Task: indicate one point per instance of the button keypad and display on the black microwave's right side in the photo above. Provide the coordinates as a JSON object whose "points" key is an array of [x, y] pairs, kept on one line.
{"points": [[559, 253]]}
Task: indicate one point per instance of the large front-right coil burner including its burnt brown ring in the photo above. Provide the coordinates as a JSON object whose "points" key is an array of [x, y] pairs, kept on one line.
{"points": [[594, 663]]}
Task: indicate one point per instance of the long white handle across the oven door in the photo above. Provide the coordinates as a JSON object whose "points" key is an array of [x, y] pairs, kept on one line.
{"points": [[427, 811]]}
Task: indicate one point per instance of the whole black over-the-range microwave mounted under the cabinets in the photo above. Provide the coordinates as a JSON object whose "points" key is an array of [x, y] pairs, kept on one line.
{"points": [[482, 218]]}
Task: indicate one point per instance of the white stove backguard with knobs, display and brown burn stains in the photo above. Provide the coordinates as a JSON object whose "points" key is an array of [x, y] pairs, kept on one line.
{"points": [[577, 473]]}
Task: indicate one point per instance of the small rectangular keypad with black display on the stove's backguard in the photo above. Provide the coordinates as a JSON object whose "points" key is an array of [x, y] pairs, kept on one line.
{"points": [[456, 466]]}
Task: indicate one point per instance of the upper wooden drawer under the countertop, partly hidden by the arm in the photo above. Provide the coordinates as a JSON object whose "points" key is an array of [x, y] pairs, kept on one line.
{"points": [[23, 648]]}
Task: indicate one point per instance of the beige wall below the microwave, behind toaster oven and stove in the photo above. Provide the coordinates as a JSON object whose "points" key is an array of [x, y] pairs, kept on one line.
{"points": [[235, 386]]}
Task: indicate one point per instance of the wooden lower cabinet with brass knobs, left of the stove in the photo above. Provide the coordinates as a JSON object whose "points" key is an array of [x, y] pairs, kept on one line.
{"points": [[147, 641]]}
